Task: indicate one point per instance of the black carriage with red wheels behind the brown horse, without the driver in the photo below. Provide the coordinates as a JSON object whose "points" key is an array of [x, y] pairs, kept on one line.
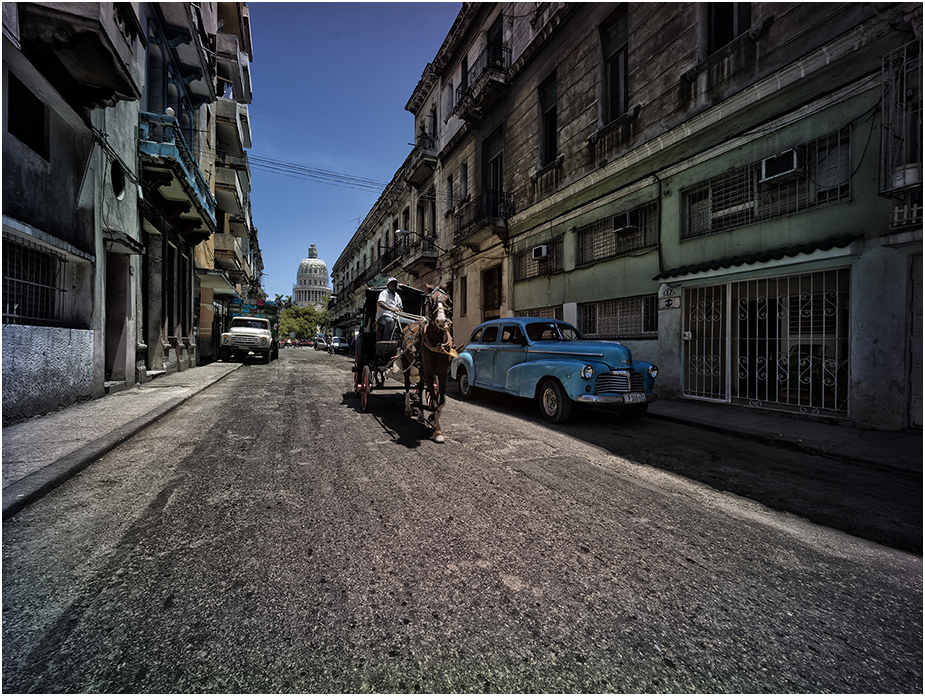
{"points": [[374, 358]]}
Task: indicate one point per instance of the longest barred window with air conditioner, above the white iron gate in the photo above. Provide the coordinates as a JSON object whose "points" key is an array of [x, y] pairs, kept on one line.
{"points": [[808, 176]]}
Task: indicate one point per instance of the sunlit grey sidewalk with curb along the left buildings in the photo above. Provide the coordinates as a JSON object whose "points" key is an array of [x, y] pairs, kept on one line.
{"points": [[41, 453]]}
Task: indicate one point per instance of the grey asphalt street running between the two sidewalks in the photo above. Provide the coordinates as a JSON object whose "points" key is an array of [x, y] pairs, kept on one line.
{"points": [[269, 536]]}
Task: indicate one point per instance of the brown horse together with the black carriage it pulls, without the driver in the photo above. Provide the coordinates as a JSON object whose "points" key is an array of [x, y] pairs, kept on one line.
{"points": [[411, 351]]}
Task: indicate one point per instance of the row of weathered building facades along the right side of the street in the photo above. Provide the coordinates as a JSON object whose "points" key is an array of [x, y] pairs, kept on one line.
{"points": [[731, 189]]}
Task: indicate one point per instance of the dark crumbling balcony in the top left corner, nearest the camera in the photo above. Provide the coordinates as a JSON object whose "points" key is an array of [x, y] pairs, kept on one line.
{"points": [[94, 43]]}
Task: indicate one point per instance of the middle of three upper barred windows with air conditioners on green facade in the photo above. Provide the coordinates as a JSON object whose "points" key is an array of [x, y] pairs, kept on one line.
{"points": [[618, 235]]}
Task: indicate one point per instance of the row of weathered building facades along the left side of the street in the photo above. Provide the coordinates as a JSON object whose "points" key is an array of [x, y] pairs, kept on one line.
{"points": [[112, 206]]}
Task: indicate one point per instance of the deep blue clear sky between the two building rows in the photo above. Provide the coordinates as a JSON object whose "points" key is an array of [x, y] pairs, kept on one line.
{"points": [[330, 83]]}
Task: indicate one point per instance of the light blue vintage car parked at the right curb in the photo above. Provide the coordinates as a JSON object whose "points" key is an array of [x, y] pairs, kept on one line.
{"points": [[548, 360]]}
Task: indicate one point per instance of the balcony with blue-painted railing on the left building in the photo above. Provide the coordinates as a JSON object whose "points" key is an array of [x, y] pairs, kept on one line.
{"points": [[175, 188]]}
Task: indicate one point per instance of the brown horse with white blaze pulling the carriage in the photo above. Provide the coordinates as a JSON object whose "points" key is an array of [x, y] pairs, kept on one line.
{"points": [[428, 346]]}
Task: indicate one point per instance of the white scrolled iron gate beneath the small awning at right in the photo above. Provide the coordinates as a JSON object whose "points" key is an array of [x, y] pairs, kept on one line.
{"points": [[772, 342]]}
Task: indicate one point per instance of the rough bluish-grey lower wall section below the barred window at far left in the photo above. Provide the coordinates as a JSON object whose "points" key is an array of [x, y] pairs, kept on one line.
{"points": [[45, 368]]}
